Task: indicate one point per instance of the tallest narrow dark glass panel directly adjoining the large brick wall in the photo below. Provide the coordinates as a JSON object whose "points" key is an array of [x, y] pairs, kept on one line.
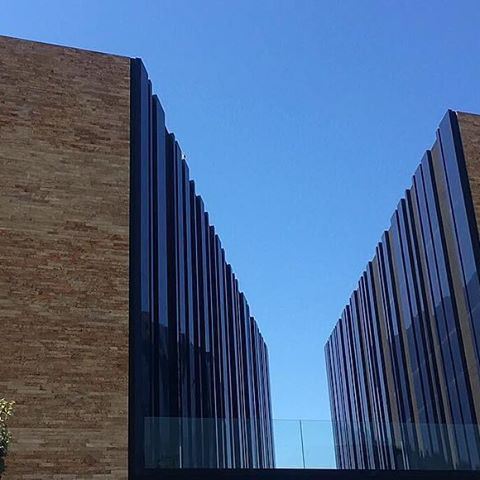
{"points": [[141, 314]]}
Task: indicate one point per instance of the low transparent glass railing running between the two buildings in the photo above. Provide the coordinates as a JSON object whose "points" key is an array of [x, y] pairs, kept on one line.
{"points": [[233, 443]]}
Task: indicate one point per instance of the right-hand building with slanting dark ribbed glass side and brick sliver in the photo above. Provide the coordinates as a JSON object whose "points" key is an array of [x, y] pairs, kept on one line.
{"points": [[403, 361]]}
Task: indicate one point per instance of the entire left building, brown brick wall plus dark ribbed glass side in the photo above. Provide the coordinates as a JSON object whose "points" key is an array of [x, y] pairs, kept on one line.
{"points": [[126, 341]]}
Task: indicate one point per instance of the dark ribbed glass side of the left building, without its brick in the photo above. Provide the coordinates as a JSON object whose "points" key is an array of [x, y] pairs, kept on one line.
{"points": [[195, 349]]}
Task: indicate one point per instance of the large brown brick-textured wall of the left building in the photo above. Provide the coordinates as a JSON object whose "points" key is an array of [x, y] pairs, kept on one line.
{"points": [[64, 253]]}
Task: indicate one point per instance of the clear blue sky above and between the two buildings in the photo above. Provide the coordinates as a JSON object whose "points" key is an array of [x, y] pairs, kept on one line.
{"points": [[302, 121]]}
